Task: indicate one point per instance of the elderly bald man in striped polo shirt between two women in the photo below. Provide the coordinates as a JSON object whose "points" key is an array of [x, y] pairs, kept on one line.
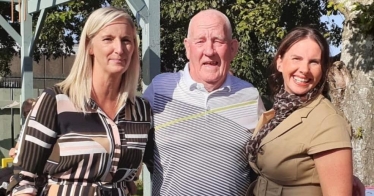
{"points": [[203, 116]]}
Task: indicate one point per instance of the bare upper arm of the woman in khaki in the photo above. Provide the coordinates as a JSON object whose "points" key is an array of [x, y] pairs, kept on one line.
{"points": [[335, 171]]}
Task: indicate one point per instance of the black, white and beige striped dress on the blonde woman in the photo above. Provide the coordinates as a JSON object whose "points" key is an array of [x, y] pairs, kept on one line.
{"points": [[82, 154]]}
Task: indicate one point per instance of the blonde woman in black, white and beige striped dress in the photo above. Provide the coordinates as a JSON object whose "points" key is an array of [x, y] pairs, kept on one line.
{"points": [[89, 134]]}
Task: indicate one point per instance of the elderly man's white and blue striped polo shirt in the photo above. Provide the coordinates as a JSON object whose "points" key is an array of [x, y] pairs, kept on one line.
{"points": [[200, 136]]}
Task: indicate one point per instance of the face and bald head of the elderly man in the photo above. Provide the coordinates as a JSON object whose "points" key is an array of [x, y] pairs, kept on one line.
{"points": [[209, 49]]}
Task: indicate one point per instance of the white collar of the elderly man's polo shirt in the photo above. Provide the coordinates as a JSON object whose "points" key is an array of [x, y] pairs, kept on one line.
{"points": [[192, 85]]}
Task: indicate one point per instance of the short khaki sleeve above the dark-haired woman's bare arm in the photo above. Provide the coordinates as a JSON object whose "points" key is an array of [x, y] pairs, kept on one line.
{"points": [[333, 133]]}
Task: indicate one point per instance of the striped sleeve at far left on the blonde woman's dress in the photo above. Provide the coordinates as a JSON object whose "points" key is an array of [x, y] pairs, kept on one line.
{"points": [[35, 145]]}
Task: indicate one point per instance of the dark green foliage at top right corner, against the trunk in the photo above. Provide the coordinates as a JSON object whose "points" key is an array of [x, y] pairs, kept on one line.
{"points": [[365, 18]]}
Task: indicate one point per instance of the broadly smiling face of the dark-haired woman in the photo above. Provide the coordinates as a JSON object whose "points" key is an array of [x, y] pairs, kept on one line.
{"points": [[301, 67]]}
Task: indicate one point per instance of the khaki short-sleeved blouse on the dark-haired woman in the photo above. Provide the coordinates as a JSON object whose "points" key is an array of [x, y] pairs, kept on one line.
{"points": [[285, 161]]}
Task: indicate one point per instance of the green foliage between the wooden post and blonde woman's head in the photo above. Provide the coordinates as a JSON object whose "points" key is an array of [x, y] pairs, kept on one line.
{"points": [[63, 26]]}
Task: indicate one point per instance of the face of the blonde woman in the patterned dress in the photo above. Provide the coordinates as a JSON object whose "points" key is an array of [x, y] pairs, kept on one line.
{"points": [[112, 48]]}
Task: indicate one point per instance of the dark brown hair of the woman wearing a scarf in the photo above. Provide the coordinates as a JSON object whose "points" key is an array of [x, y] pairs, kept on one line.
{"points": [[294, 36]]}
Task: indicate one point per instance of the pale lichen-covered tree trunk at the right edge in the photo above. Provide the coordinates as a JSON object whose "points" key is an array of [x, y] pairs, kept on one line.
{"points": [[356, 102]]}
